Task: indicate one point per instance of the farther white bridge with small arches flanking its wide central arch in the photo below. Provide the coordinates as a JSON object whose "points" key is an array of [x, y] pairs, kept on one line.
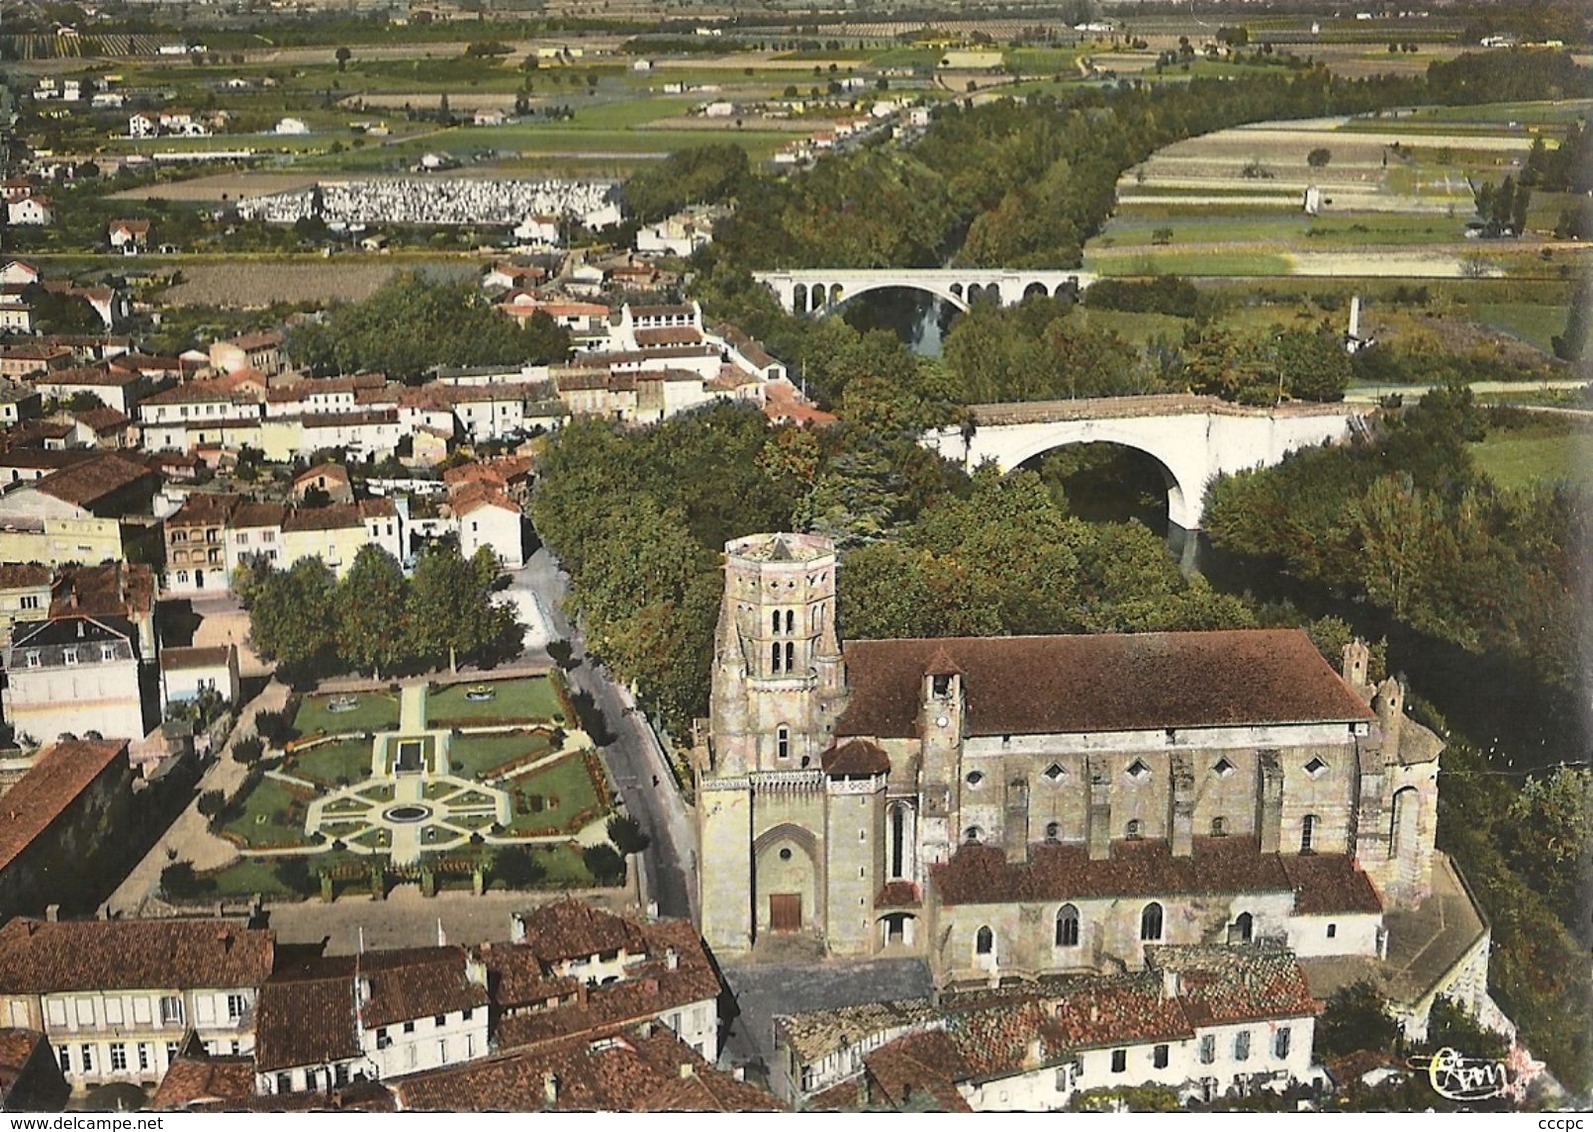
{"points": [[818, 291]]}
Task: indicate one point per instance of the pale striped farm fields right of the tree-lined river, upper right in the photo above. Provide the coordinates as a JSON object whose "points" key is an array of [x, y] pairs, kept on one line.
{"points": [[1396, 201]]}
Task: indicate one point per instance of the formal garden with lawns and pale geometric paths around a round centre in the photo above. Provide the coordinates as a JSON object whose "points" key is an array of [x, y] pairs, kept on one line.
{"points": [[471, 786]]}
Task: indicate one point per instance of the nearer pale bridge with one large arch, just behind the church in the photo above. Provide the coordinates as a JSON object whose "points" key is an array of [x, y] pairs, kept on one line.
{"points": [[1194, 439]]}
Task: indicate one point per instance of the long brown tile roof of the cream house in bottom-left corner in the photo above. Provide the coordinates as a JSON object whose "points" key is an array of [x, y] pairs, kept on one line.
{"points": [[41, 958]]}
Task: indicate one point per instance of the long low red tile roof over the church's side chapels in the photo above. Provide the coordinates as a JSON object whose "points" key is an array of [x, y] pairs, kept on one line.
{"points": [[980, 875]]}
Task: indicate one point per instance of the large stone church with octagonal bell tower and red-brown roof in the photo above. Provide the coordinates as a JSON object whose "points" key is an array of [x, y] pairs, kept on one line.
{"points": [[1031, 806]]}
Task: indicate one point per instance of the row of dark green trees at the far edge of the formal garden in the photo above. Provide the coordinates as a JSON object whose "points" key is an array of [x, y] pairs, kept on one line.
{"points": [[375, 620]]}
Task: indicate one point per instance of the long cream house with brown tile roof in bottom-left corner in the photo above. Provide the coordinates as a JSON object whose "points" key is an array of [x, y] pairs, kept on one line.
{"points": [[115, 997]]}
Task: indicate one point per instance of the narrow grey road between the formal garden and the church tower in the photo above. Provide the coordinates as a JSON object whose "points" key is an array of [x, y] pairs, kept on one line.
{"points": [[635, 759]]}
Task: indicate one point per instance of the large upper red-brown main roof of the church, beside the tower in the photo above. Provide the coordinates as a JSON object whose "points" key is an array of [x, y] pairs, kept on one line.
{"points": [[1108, 682]]}
